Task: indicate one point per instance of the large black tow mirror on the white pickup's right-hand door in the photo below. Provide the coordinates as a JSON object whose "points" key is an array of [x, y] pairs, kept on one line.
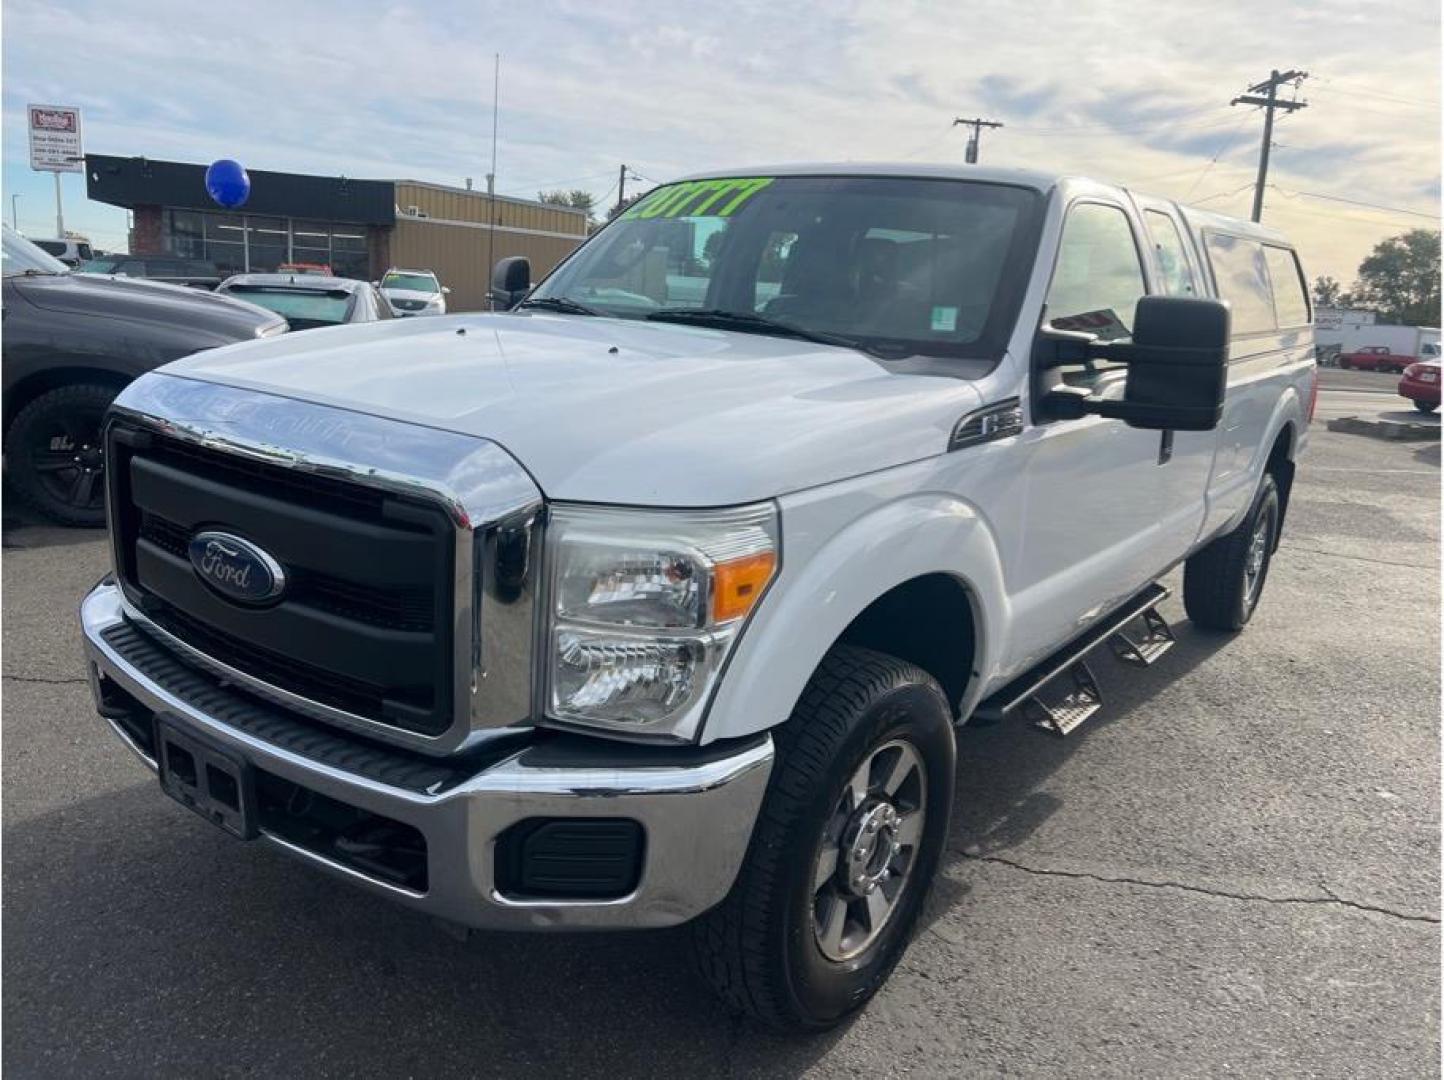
{"points": [[1178, 367]]}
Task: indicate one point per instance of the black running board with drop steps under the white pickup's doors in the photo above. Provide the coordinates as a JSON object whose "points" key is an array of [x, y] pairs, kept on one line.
{"points": [[1082, 700]]}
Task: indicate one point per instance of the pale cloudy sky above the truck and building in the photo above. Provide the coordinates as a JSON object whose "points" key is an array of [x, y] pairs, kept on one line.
{"points": [[1115, 89]]}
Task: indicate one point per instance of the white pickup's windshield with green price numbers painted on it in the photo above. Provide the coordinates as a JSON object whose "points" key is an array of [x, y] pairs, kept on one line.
{"points": [[910, 266]]}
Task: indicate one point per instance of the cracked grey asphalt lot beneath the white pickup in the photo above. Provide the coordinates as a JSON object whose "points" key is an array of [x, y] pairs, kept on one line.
{"points": [[1231, 871]]}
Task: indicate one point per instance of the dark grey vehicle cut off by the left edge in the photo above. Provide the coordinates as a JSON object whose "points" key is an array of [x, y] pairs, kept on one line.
{"points": [[71, 344]]}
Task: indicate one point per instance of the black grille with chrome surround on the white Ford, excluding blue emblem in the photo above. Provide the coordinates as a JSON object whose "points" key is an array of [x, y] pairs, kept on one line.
{"points": [[411, 557]]}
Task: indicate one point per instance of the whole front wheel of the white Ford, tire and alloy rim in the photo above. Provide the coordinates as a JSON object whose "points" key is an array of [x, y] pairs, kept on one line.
{"points": [[845, 848]]}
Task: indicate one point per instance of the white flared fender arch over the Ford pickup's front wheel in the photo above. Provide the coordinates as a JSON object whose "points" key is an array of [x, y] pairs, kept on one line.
{"points": [[832, 570]]}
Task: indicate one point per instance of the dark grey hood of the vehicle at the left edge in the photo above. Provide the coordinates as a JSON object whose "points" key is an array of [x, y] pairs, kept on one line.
{"points": [[141, 301]]}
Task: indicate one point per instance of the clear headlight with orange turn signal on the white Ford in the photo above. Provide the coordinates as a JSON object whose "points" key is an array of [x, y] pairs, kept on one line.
{"points": [[646, 609]]}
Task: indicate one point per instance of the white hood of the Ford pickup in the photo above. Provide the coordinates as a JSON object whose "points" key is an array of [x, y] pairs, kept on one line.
{"points": [[613, 411]]}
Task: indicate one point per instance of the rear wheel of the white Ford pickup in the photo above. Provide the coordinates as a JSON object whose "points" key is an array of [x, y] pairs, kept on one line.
{"points": [[1218, 590]]}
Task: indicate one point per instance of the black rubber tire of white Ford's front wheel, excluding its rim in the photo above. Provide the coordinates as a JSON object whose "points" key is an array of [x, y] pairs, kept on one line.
{"points": [[762, 948]]}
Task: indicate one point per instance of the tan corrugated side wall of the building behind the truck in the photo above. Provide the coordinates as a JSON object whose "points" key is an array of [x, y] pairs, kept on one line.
{"points": [[456, 242]]}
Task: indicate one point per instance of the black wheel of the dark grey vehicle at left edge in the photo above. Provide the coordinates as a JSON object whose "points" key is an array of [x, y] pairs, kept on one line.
{"points": [[53, 454]]}
